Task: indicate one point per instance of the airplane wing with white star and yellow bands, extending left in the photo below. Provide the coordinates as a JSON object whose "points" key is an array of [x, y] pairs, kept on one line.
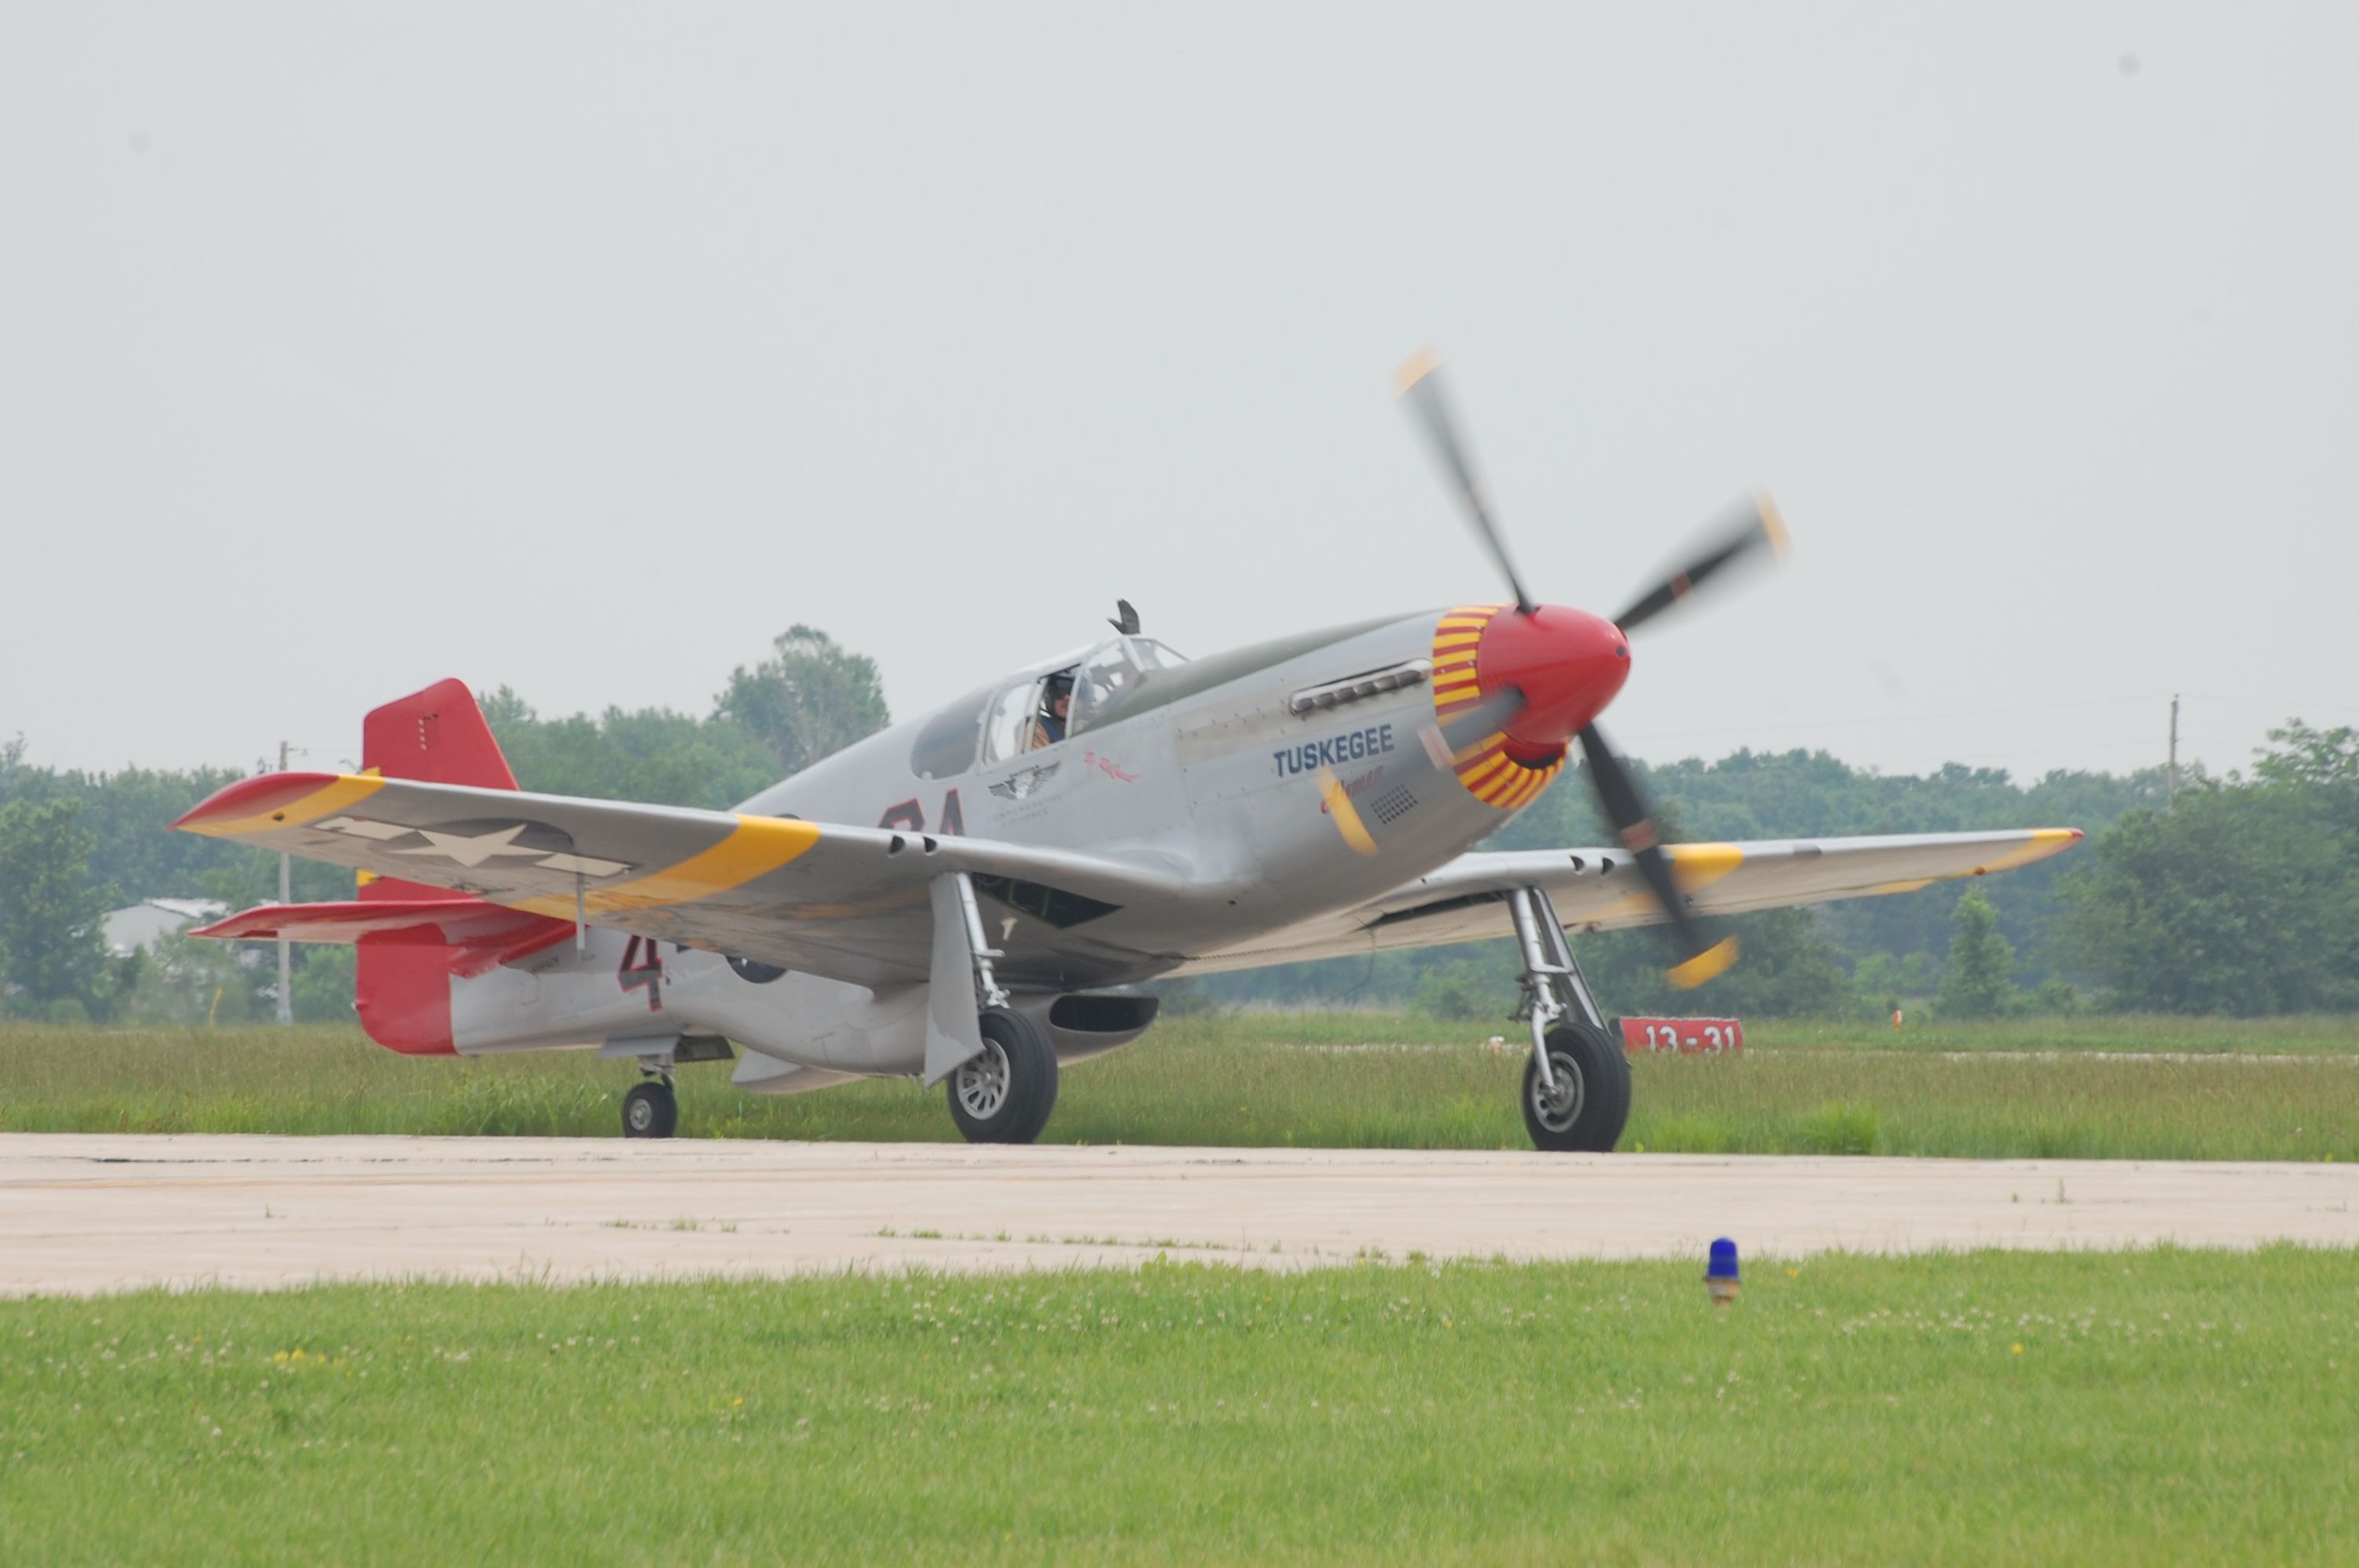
{"points": [[841, 902]]}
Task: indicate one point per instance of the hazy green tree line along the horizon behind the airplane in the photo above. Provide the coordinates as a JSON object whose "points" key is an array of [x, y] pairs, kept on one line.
{"points": [[2235, 897]]}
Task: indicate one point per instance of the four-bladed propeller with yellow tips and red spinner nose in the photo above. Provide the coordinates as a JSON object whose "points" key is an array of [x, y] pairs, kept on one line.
{"points": [[1546, 671]]}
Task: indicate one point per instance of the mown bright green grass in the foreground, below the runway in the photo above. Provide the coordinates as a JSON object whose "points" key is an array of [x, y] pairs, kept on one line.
{"points": [[2155, 1406]]}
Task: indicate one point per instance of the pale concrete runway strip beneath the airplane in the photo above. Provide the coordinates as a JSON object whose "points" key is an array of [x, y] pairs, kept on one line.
{"points": [[84, 1215]]}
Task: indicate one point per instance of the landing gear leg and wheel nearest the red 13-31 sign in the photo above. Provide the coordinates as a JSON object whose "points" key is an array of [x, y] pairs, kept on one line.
{"points": [[1577, 1086]]}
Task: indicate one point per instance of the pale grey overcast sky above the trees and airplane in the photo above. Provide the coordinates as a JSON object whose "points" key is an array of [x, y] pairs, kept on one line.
{"points": [[589, 348]]}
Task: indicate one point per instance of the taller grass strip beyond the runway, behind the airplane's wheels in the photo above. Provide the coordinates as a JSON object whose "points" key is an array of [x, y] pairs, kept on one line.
{"points": [[2077, 1091]]}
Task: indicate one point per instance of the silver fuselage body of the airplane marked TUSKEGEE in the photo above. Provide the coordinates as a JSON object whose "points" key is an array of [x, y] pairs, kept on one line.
{"points": [[1207, 775]]}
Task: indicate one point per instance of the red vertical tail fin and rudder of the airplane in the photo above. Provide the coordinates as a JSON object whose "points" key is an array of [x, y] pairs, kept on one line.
{"points": [[435, 737]]}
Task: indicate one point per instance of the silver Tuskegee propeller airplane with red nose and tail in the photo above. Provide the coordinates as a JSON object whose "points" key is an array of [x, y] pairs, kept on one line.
{"points": [[1046, 845]]}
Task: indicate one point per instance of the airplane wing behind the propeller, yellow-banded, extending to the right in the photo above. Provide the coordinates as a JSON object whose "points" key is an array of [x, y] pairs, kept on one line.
{"points": [[1598, 890]]}
